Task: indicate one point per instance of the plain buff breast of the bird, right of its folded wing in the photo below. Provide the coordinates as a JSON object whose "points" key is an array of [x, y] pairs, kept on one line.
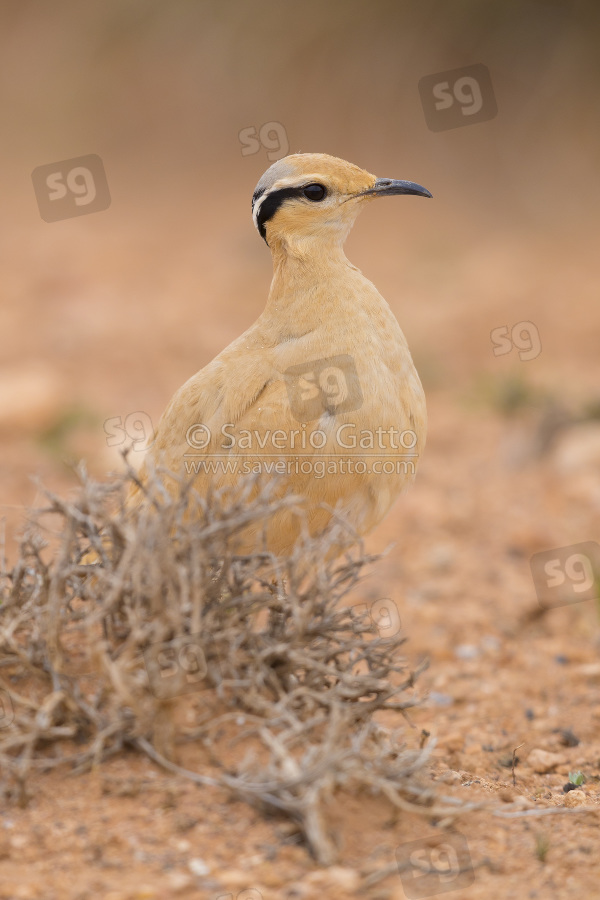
{"points": [[360, 411]]}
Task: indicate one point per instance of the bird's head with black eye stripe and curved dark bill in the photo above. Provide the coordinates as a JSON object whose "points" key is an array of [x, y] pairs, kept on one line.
{"points": [[310, 196]]}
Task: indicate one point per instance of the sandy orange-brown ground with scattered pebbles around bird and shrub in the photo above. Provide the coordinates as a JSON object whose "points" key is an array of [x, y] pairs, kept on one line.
{"points": [[109, 318]]}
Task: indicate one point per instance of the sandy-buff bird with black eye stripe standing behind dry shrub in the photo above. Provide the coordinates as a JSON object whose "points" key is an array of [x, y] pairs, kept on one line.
{"points": [[321, 393]]}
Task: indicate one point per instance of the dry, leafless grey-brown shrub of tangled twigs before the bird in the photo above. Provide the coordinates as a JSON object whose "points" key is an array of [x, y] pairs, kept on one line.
{"points": [[98, 657]]}
